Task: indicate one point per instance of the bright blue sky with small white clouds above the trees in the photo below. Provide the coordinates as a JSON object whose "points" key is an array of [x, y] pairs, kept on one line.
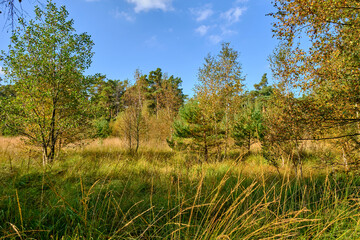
{"points": [[174, 35]]}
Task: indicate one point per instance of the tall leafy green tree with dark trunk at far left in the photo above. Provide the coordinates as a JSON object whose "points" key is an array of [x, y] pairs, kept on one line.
{"points": [[45, 64]]}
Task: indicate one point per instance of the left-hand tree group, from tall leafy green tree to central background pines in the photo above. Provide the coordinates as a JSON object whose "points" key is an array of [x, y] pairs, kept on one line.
{"points": [[49, 100]]}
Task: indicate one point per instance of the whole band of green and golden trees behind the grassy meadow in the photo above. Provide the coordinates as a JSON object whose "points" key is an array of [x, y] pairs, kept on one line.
{"points": [[315, 97]]}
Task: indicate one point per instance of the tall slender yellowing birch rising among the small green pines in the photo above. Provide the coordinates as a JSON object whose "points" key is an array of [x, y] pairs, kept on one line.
{"points": [[219, 91]]}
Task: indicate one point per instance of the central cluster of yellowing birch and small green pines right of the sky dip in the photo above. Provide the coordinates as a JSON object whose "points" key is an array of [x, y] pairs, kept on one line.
{"points": [[222, 115]]}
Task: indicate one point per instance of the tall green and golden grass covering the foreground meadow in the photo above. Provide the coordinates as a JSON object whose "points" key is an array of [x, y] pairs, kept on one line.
{"points": [[103, 193]]}
